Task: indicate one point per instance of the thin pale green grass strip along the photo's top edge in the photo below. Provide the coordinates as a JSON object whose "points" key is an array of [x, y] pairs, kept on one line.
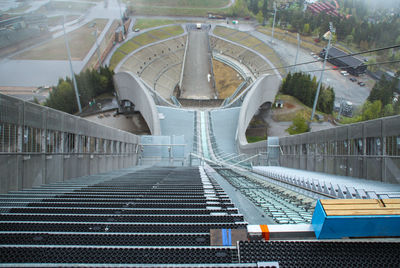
{"points": [[180, 3]]}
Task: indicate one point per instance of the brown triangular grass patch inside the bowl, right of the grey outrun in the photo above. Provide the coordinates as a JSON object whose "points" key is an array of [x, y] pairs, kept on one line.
{"points": [[226, 79]]}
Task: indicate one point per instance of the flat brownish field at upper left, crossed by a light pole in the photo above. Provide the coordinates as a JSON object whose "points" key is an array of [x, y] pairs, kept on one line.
{"points": [[80, 42]]}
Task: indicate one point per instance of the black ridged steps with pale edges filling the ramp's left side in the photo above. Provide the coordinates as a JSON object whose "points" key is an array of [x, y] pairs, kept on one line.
{"points": [[148, 216]]}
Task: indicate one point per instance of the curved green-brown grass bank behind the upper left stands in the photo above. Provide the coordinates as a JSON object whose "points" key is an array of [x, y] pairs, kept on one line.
{"points": [[144, 39]]}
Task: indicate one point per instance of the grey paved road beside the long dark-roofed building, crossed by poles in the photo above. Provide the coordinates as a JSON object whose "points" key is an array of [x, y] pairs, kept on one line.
{"points": [[342, 86]]}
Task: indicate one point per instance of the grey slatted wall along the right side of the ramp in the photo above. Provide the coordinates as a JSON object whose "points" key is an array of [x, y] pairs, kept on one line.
{"points": [[369, 150]]}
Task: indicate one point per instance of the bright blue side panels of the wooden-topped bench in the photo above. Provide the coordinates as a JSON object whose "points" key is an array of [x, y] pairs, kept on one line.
{"points": [[330, 227]]}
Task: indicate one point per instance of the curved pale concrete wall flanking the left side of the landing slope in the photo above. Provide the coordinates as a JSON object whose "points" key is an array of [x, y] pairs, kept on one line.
{"points": [[129, 87]]}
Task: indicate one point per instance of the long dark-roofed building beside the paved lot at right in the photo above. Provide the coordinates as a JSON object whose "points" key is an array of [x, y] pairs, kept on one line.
{"points": [[341, 59]]}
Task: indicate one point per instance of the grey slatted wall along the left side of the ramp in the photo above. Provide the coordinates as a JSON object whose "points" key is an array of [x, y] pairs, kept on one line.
{"points": [[30, 157]]}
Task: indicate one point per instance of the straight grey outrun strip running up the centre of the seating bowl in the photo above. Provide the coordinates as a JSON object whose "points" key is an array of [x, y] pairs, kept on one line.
{"points": [[195, 84]]}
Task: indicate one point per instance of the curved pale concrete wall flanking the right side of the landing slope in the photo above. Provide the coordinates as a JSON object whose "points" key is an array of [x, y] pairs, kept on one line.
{"points": [[264, 90]]}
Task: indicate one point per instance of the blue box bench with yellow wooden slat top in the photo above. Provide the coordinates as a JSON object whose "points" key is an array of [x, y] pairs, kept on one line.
{"points": [[338, 218]]}
